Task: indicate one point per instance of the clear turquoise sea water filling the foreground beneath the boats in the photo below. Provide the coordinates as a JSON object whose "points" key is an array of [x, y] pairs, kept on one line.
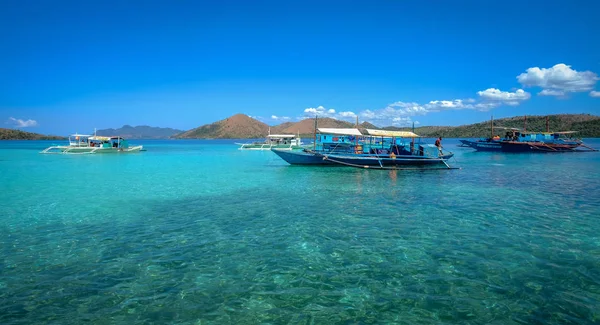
{"points": [[198, 232]]}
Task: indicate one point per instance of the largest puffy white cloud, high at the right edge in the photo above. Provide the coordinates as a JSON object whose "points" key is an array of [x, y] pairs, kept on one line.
{"points": [[558, 80]]}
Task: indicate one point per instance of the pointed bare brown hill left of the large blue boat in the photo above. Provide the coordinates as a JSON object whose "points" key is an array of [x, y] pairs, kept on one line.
{"points": [[239, 126]]}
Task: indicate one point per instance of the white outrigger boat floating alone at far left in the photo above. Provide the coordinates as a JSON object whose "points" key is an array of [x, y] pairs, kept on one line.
{"points": [[88, 144]]}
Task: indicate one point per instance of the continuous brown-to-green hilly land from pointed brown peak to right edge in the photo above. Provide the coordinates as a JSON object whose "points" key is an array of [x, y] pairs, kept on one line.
{"points": [[241, 126]]}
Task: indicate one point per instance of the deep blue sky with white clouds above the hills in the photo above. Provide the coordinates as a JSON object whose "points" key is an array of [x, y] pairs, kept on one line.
{"points": [[69, 66]]}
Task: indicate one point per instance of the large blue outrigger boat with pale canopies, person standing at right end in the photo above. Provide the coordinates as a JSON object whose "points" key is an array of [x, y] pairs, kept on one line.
{"points": [[377, 149]]}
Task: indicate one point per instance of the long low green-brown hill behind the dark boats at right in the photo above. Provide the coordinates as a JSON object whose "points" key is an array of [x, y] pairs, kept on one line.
{"points": [[586, 125]]}
